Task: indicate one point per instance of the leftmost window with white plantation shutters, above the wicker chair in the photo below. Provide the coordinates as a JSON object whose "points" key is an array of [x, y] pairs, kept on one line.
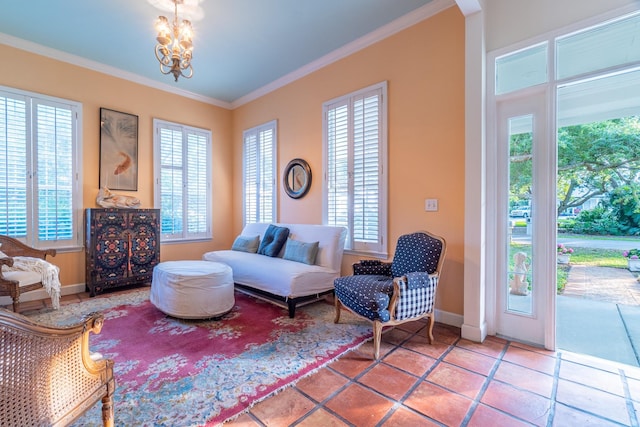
{"points": [[40, 169]]}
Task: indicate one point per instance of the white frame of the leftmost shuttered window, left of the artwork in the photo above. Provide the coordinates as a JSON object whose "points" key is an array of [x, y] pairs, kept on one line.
{"points": [[32, 100]]}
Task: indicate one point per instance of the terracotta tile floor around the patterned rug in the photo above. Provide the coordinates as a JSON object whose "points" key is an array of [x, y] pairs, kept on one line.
{"points": [[453, 382]]}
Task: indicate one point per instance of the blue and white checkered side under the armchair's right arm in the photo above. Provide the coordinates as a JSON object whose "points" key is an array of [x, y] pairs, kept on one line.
{"points": [[413, 295]]}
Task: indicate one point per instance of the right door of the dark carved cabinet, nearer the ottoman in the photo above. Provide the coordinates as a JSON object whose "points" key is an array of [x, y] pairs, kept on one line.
{"points": [[143, 227]]}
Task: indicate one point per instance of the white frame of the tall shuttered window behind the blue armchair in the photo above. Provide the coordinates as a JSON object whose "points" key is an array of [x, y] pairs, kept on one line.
{"points": [[354, 245]]}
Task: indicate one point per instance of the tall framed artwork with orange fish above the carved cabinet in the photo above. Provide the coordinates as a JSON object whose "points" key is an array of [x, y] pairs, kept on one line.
{"points": [[118, 150]]}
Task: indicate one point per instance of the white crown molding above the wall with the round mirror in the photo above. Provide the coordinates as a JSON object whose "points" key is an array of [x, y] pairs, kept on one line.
{"points": [[427, 11]]}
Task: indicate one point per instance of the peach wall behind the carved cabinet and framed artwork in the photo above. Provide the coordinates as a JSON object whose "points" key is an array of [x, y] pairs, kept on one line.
{"points": [[46, 76]]}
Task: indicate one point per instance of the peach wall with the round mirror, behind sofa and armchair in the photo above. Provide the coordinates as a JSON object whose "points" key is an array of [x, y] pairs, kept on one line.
{"points": [[424, 68]]}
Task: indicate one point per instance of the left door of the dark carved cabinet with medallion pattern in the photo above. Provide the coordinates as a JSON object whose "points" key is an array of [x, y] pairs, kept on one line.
{"points": [[110, 240]]}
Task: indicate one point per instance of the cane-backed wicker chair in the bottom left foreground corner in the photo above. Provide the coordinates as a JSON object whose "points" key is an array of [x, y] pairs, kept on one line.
{"points": [[47, 375]]}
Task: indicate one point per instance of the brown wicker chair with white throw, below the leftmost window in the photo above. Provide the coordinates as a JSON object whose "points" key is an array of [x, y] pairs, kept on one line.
{"points": [[15, 283]]}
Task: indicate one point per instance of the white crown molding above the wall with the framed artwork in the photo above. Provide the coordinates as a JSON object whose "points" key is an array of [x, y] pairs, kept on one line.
{"points": [[59, 55]]}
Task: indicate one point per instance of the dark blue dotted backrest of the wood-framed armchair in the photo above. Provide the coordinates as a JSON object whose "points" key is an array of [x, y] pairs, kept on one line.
{"points": [[419, 251]]}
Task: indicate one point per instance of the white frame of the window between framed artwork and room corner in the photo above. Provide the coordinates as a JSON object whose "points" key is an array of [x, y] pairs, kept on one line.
{"points": [[184, 235]]}
